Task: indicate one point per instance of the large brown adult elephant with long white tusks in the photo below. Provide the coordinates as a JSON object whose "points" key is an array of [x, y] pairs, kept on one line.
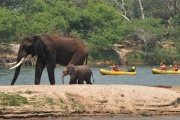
{"points": [[50, 50]]}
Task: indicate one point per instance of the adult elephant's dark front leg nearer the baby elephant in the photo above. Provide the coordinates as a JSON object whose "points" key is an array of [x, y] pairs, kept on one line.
{"points": [[50, 70]]}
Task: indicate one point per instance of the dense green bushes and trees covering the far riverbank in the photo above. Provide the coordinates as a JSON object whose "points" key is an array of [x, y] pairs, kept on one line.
{"points": [[99, 23]]}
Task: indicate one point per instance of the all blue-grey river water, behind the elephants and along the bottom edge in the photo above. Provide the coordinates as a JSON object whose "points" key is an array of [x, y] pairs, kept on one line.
{"points": [[144, 76]]}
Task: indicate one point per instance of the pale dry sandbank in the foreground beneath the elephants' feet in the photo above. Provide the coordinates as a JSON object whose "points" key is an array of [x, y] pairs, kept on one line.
{"points": [[69, 100]]}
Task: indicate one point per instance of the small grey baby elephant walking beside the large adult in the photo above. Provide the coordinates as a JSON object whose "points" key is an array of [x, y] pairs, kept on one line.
{"points": [[78, 74]]}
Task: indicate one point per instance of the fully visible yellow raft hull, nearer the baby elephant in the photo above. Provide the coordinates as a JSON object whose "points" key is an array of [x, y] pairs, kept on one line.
{"points": [[110, 72]]}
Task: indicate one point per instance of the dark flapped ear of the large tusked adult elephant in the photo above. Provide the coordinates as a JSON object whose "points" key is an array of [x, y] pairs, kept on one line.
{"points": [[39, 46]]}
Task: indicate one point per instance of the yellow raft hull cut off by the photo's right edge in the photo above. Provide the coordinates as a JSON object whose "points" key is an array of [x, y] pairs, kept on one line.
{"points": [[157, 71]]}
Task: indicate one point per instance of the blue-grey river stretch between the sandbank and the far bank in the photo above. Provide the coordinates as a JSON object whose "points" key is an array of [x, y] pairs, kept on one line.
{"points": [[143, 77]]}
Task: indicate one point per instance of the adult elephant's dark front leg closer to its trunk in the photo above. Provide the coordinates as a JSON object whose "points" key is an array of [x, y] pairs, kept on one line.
{"points": [[38, 72]]}
